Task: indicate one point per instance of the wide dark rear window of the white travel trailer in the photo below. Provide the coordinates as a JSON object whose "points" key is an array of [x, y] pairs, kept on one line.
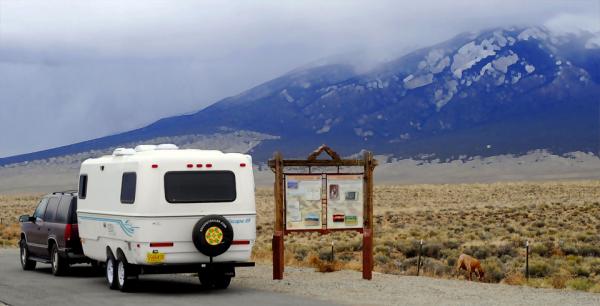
{"points": [[200, 186]]}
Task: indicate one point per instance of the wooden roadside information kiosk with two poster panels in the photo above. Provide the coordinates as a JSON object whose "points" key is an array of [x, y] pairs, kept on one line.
{"points": [[323, 201]]}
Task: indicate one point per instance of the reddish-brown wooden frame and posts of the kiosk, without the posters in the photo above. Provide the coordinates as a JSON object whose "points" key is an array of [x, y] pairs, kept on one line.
{"points": [[277, 164]]}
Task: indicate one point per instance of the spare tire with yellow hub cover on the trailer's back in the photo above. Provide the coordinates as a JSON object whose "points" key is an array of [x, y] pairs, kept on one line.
{"points": [[212, 235]]}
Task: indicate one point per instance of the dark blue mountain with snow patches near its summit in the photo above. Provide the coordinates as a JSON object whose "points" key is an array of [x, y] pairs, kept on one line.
{"points": [[506, 90]]}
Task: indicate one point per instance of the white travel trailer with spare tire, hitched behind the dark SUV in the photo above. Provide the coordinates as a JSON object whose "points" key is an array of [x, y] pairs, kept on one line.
{"points": [[159, 209]]}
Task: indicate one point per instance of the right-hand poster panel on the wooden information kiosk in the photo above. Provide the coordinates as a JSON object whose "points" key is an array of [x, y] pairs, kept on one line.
{"points": [[344, 201]]}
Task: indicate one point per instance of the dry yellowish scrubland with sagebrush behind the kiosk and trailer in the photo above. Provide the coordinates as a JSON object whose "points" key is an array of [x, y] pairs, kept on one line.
{"points": [[491, 222]]}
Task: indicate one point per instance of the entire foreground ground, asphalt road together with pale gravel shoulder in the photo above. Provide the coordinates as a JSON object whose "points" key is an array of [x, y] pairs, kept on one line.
{"points": [[254, 286]]}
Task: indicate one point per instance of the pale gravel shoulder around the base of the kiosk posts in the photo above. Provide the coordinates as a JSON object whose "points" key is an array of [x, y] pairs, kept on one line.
{"points": [[347, 287]]}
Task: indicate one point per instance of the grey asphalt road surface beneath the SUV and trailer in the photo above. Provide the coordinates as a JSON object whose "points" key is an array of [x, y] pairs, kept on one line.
{"points": [[87, 287]]}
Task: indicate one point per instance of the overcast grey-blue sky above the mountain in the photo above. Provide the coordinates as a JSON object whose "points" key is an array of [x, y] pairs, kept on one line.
{"points": [[77, 70]]}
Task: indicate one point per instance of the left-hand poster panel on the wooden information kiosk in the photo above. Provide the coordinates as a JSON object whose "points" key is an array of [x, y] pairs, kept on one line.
{"points": [[303, 207]]}
